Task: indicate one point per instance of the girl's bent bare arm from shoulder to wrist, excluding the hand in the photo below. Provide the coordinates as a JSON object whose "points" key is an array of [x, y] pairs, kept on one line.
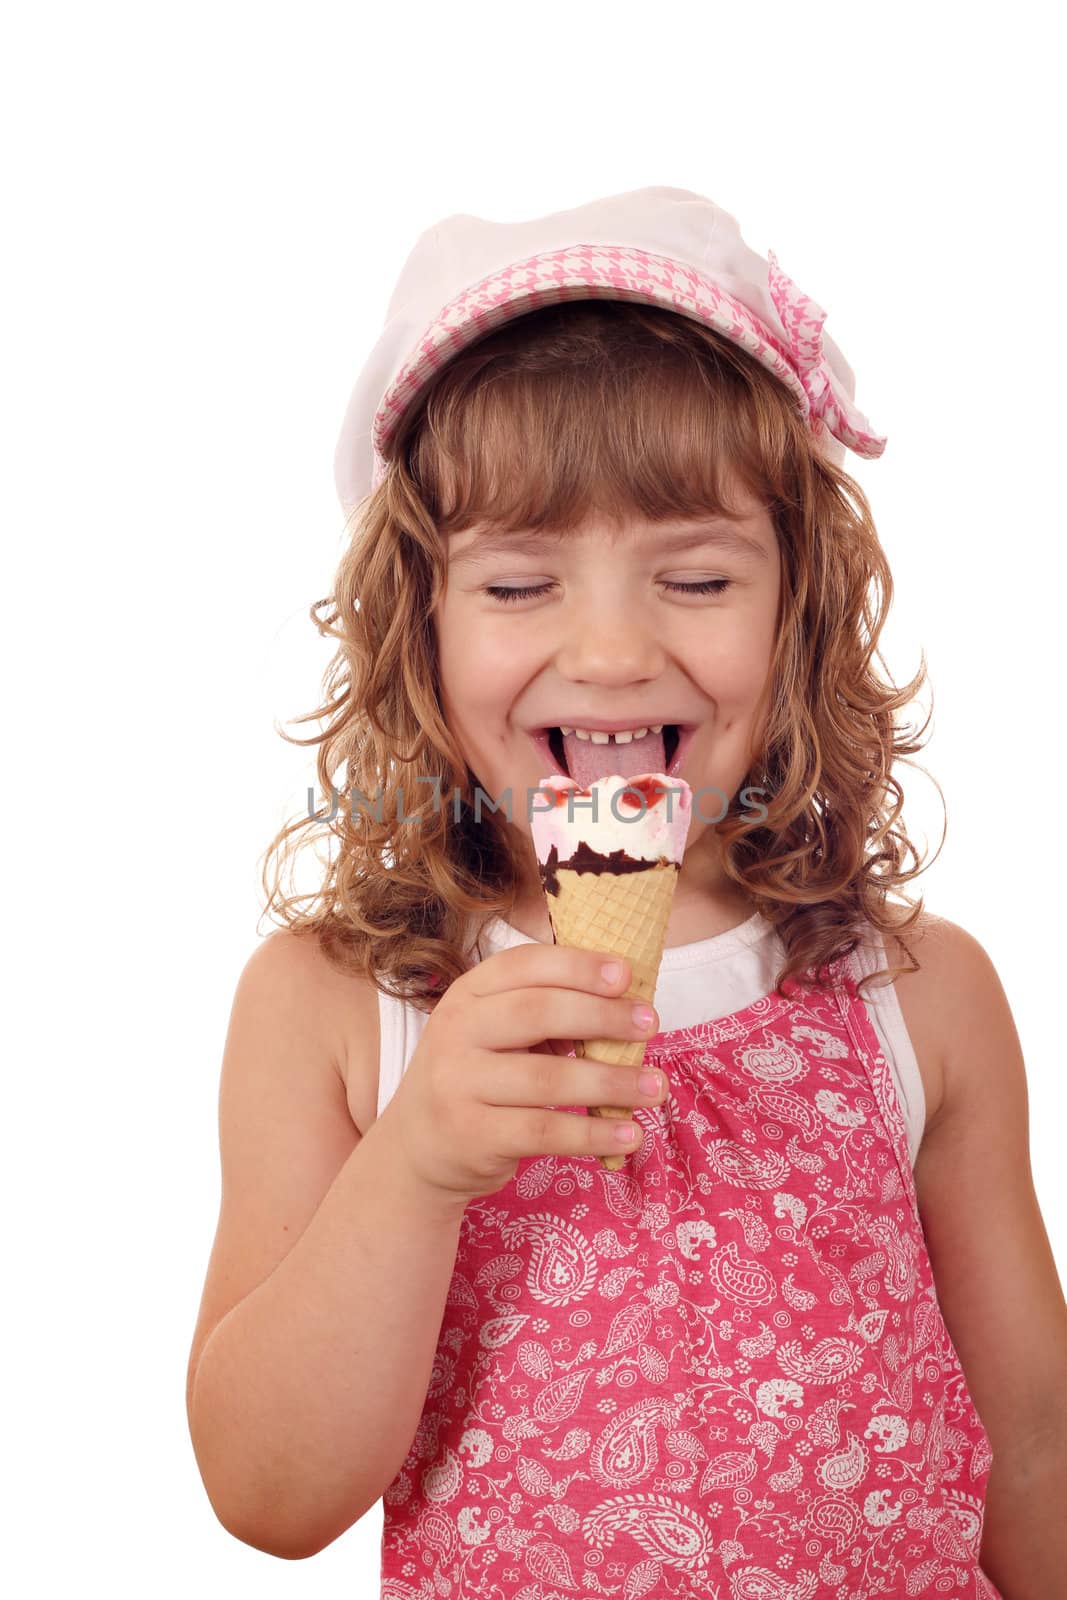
{"points": [[327, 1282]]}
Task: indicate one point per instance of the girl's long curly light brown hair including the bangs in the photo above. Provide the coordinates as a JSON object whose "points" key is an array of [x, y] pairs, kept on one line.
{"points": [[620, 410]]}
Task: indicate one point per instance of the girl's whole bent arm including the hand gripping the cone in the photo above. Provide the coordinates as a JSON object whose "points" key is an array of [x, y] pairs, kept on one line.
{"points": [[313, 1361]]}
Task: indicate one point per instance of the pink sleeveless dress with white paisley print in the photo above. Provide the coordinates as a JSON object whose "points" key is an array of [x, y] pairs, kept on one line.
{"points": [[721, 1372]]}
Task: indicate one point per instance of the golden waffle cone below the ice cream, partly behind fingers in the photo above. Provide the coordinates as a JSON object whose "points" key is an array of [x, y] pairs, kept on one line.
{"points": [[623, 913]]}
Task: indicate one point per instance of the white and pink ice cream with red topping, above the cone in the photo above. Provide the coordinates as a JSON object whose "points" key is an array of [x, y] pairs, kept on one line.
{"points": [[605, 820]]}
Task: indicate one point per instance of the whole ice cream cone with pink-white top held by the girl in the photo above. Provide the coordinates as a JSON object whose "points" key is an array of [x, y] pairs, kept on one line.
{"points": [[615, 900]]}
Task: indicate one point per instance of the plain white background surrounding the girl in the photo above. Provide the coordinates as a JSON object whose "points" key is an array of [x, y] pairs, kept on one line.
{"points": [[207, 207]]}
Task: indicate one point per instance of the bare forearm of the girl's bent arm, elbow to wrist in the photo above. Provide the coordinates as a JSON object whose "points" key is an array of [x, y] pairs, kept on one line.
{"points": [[310, 1393]]}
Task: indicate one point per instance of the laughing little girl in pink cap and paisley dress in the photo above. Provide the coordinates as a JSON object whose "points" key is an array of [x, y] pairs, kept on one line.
{"points": [[810, 1340]]}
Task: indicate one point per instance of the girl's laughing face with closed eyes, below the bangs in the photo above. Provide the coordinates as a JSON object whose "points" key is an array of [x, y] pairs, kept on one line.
{"points": [[605, 634]]}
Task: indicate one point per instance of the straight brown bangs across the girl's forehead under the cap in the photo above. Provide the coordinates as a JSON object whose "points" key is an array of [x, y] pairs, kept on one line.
{"points": [[599, 409]]}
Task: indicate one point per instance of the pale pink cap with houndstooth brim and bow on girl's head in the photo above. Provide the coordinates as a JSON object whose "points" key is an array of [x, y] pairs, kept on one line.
{"points": [[665, 247]]}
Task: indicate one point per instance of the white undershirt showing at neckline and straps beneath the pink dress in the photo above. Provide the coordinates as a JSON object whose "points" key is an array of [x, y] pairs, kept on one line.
{"points": [[701, 983]]}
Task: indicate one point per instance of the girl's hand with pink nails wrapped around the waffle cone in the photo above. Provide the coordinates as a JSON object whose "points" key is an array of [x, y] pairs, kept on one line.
{"points": [[492, 1058]]}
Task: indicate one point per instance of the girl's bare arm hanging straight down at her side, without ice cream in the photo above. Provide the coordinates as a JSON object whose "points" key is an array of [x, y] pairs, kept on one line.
{"points": [[994, 1268]]}
